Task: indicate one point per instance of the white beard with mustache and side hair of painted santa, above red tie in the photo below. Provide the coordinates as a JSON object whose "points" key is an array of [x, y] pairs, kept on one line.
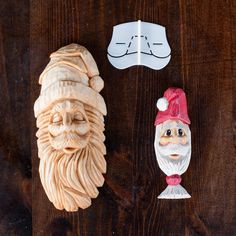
{"points": [[171, 166]]}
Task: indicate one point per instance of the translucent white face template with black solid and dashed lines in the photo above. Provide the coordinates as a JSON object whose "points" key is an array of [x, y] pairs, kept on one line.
{"points": [[139, 43]]}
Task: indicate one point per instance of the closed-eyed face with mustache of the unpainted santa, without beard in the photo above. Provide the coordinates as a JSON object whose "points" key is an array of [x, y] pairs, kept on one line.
{"points": [[69, 127]]}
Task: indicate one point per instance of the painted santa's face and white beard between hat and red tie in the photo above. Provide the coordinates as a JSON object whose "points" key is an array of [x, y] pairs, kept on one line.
{"points": [[173, 146]]}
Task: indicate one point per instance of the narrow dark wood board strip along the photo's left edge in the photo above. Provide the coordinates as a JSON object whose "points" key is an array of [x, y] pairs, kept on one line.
{"points": [[15, 142]]}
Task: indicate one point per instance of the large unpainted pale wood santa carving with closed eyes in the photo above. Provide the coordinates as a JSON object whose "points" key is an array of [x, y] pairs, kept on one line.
{"points": [[70, 120]]}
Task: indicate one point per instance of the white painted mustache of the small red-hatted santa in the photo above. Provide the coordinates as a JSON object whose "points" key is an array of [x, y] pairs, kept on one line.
{"points": [[171, 148]]}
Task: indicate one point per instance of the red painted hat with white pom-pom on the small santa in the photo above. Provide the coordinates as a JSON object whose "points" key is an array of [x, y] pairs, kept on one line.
{"points": [[173, 106]]}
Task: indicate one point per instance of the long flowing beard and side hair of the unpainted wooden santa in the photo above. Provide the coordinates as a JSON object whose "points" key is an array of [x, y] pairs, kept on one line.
{"points": [[71, 180]]}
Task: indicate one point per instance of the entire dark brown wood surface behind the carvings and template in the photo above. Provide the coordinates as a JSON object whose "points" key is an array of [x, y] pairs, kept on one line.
{"points": [[202, 35]]}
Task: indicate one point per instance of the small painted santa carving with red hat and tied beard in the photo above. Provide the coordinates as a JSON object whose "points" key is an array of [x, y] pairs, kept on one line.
{"points": [[173, 141]]}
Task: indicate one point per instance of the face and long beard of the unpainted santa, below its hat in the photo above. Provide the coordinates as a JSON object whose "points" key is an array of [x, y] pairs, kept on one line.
{"points": [[71, 150]]}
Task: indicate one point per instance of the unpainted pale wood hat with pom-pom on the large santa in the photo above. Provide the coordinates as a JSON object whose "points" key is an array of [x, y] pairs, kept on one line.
{"points": [[71, 73]]}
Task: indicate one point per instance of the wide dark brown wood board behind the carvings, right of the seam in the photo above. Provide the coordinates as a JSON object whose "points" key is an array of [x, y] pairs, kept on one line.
{"points": [[201, 36]]}
